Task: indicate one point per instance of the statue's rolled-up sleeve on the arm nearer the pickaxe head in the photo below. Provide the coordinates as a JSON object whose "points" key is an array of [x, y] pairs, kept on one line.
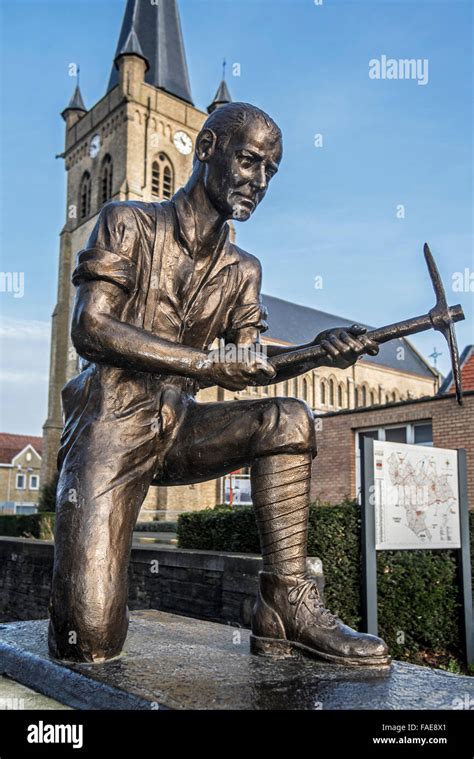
{"points": [[248, 311]]}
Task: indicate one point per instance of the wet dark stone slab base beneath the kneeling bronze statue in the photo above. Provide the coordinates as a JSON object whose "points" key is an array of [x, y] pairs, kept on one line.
{"points": [[175, 662]]}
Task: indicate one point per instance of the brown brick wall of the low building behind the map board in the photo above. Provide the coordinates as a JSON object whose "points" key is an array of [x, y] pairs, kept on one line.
{"points": [[334, 469]]}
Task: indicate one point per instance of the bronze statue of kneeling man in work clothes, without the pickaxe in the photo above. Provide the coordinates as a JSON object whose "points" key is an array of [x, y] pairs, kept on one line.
{"points": [[156, 284]]}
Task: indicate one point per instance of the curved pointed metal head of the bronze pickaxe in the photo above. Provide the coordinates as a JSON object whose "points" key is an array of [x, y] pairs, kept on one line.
{"points": [[442, 318]]}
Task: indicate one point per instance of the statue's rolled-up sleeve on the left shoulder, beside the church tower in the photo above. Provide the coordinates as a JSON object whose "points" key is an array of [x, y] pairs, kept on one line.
{"points": [[110, 253]]}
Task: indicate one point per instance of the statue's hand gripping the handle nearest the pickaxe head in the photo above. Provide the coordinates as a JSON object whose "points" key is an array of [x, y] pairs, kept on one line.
{"points": [[344, 345]]}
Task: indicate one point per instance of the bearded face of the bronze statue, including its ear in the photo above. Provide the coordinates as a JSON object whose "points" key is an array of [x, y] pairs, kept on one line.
{"points": [[237, 176]]}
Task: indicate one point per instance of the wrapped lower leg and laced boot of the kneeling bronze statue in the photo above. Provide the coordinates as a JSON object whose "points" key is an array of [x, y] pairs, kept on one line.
{"points": [[289, 615]]}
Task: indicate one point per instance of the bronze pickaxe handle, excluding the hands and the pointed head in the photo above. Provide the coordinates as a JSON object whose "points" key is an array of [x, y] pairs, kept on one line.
{"points": [[312, 354]]}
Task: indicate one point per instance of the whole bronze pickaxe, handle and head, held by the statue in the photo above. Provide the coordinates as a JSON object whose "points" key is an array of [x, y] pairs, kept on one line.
{"points": [[441, 317]]}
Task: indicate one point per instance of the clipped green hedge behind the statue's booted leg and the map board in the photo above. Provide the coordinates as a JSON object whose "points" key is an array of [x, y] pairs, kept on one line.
{"points": [[419, 601]]}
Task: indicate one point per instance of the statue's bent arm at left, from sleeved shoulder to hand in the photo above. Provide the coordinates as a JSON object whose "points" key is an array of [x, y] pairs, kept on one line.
{"points": [[105, 277]]}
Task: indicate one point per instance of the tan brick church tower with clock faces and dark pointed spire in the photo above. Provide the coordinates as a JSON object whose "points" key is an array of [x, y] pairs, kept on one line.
{"points": [[136, 143]]}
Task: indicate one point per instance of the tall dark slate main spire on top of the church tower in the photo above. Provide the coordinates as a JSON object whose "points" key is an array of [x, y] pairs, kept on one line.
{"points": [[153, 32]]}
